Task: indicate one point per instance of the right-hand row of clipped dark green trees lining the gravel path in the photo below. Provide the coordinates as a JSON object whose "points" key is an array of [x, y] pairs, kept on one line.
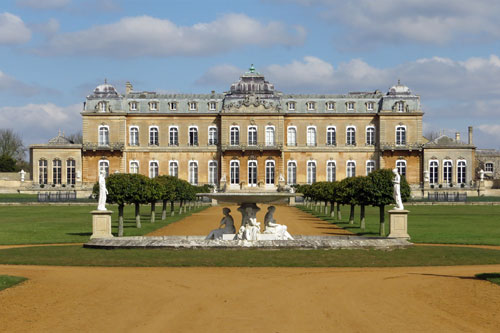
{"points": [[376, 189]]}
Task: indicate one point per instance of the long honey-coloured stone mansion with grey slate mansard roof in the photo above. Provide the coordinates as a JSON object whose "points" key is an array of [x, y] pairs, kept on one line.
{"points": [[252, 136]]}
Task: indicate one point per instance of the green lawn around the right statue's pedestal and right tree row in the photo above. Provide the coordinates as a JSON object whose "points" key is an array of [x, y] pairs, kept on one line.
{"points": [[433, 224]]}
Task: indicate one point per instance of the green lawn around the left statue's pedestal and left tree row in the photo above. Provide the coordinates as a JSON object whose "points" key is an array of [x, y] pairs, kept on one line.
{"points": [[68, 224]]}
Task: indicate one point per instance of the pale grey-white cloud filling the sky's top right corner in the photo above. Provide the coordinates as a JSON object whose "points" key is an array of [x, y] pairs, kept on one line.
{"points": [[425, 21]]}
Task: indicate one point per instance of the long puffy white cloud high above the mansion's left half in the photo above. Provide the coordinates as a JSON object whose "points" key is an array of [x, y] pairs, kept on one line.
{"points": [[149, 36]]}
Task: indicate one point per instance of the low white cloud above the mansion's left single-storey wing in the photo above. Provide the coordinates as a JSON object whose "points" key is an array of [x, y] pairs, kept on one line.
{"points": [[38, 123]]}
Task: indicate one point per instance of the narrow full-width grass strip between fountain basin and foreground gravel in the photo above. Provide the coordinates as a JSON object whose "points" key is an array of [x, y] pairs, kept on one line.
{"points": [[413, 256]]}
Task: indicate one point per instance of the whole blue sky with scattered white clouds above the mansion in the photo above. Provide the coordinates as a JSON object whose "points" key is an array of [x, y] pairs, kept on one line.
{"points": [[54, 52]]}
